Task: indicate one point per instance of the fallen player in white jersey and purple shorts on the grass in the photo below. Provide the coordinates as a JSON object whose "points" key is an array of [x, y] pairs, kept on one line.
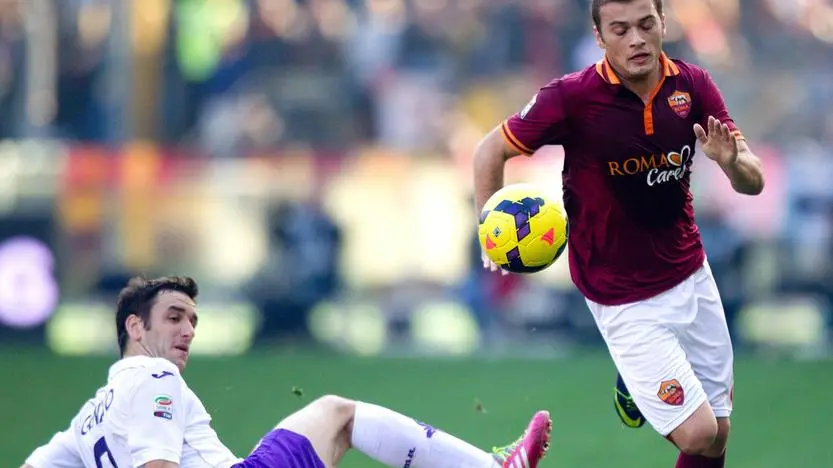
{"points": [[146, 416]]}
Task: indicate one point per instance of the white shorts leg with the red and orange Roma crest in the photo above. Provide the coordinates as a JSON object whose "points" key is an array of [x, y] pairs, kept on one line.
{"points": [[653, 364]]}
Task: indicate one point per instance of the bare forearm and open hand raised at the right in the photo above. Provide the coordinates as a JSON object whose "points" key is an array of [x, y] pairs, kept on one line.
{"points": [[740, 165]]}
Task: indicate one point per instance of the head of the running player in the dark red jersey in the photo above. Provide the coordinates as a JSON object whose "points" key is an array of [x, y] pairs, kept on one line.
{"points": [[631, 35]]}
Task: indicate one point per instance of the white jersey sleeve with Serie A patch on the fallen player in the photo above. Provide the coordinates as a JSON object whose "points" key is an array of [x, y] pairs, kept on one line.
{"points": [[157, 413]]}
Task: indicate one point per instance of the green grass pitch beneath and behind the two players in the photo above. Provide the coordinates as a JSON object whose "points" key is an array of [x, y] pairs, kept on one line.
{"points": [[782, 413]]}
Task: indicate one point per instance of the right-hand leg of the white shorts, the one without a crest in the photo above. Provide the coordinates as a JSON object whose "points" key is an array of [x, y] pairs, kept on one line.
{"points": [[707, 344]]}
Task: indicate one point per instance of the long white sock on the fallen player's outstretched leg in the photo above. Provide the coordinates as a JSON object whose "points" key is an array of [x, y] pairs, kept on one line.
{"points": [[400, 442]]}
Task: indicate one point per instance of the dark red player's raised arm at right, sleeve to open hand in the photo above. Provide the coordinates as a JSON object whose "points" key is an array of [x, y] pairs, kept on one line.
{"points": [[724, 143]]}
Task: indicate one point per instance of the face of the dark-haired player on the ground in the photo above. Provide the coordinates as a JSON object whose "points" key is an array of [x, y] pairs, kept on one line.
{"points": [[173, 319]]}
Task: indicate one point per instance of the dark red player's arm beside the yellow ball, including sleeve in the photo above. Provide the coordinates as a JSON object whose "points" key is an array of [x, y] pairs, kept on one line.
{"points": [[541, 122]]}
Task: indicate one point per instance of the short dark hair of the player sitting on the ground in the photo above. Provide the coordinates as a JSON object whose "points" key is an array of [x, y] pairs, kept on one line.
{"points": [[139, 296]]}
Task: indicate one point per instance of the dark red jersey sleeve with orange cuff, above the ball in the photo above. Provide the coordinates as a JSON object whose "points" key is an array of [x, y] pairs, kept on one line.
{"points": [[542, 122]]}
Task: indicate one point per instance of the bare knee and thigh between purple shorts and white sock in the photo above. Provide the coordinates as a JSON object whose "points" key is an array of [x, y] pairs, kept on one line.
{"points": [[324, 423]]}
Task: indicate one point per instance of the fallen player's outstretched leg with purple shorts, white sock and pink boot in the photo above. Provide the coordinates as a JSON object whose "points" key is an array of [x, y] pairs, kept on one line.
{"points": [[319, 434]]}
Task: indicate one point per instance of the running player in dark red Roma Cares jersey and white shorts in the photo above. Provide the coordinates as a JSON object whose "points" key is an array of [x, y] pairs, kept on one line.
{"points": [[629, 125]]}
